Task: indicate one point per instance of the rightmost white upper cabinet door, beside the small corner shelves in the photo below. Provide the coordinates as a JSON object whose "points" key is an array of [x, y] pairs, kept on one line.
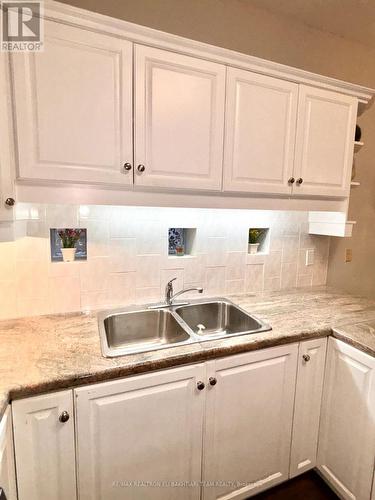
{"points": [[325, 142]]}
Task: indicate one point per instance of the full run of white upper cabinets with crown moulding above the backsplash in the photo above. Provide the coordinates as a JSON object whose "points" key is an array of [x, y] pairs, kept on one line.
{"points": [[101, 105]]}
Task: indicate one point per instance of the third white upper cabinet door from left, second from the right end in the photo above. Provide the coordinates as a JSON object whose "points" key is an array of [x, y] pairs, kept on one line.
{"points": [[260, 125]]}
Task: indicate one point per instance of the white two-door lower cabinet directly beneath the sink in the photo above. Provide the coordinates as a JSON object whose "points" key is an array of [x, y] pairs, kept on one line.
{"points": [[142, 437]]}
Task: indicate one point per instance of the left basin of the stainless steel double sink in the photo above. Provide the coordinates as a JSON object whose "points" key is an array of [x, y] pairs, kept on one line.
{"points": [[133, 331]]}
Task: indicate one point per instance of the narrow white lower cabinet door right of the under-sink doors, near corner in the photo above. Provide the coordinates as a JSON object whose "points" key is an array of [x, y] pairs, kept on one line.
{"points": [[308, 400]]}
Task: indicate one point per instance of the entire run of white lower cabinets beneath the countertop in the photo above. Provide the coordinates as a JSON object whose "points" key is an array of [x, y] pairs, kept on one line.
{"points": [[220, 430]]}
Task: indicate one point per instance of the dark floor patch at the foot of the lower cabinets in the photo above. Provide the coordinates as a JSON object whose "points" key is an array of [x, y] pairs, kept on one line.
{"points": [[309, 486]]}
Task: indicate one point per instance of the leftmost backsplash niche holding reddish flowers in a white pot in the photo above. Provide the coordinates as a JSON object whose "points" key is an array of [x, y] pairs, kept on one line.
{"points": [[68, 244]]}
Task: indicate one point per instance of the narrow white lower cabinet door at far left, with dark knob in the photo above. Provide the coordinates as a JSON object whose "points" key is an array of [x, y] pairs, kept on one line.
{"points": [[44, 446]]}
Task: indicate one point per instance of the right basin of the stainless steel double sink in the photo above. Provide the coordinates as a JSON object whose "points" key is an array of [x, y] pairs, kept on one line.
{"points": [[219, 319]]}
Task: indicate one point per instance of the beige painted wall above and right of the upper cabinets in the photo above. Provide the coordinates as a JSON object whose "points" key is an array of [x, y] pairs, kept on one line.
{"points": [[238, 25]]}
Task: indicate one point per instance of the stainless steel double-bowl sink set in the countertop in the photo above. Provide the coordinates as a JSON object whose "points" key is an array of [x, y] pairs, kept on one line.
{"points": [[140, 329]]}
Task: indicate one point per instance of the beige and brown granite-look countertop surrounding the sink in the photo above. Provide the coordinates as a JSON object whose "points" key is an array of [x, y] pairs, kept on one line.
{"points": [[44, 353]]}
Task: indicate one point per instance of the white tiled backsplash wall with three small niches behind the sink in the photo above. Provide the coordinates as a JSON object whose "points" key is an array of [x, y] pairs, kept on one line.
{"points": [[128, 256]]}
